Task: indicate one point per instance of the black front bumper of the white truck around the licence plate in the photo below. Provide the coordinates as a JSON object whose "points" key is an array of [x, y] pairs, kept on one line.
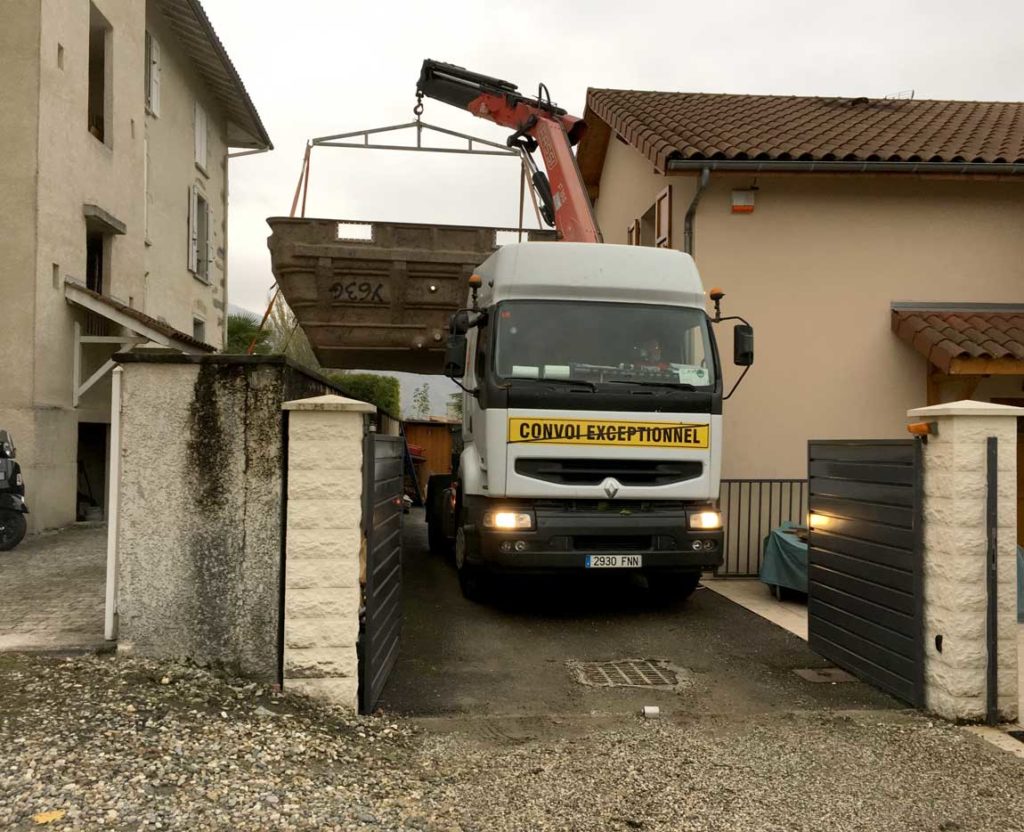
{"points": [[564, 538]]}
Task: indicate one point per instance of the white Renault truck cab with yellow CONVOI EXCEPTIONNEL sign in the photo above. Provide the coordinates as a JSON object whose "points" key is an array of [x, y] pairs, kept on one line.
{"points": [[592, 423]]}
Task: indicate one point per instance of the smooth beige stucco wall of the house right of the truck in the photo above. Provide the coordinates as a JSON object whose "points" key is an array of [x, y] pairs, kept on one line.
{"points": [[815, 269]]}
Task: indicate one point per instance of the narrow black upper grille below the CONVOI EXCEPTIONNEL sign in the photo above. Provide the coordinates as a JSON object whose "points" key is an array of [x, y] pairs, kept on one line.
{"points": [[594, 472]]}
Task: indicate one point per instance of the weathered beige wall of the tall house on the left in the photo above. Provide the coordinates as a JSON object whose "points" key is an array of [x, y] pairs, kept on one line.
{"points": [[50, 169]]}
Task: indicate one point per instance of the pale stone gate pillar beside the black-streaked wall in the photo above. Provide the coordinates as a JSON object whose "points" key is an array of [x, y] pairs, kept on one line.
{"points": [[324, 537]]}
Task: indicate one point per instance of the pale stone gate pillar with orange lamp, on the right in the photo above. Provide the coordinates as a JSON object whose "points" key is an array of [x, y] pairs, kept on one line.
{"points": [[956, 559]]}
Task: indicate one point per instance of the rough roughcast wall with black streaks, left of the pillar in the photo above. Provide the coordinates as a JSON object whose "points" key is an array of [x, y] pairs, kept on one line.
{"points": [[201, 507]]}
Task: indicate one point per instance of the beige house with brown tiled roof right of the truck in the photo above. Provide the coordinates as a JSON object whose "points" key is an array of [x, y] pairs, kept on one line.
{"points": [[876, 246]]}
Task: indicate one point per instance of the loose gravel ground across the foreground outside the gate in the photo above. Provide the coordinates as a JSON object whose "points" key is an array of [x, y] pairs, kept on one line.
{"points": [[113, 743]]}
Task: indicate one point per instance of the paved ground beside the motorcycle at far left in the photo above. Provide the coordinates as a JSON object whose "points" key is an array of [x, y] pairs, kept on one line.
{"points": [[53, 591]]}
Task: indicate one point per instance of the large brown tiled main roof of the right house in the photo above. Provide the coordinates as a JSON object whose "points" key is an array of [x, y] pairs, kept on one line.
{"points": [[699, 127]]}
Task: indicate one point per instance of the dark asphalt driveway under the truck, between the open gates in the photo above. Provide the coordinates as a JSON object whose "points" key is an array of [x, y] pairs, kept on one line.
{"points": [[515, 657]]}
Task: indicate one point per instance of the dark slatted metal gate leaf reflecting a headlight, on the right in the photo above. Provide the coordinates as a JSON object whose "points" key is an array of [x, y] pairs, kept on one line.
{"points": [[865, 580]]}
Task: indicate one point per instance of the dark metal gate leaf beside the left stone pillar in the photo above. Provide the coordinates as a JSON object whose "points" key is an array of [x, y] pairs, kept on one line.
{"points": [[382, 510]]}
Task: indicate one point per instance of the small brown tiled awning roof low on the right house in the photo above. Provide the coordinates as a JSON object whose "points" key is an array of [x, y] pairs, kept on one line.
{"points": [[944, 336]]}
